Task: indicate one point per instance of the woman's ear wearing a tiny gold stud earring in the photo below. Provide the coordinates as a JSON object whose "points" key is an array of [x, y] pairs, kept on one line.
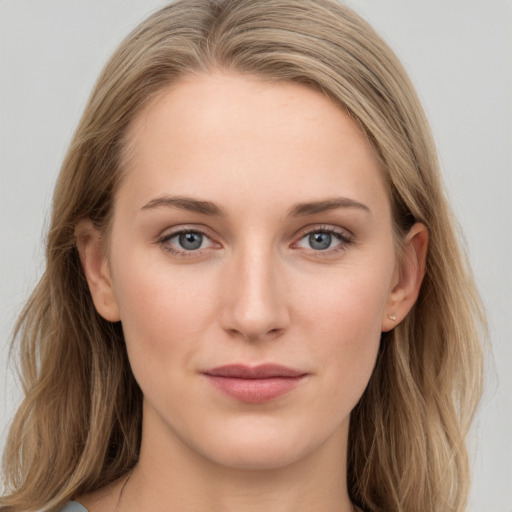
{"points": [[408, 277]]}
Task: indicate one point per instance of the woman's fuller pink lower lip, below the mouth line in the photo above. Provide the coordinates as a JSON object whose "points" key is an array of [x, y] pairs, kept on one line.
{"points": [[255, 391]]}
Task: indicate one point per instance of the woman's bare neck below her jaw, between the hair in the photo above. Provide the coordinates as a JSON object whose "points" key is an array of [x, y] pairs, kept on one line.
{"points": [[171, 476]]}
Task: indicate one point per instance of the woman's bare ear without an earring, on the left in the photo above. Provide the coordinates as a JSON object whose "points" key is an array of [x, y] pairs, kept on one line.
{"points": [[91, 249]]}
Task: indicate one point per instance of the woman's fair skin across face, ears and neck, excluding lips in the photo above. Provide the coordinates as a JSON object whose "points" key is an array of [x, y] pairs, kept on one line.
{"points": [[256, 291]]}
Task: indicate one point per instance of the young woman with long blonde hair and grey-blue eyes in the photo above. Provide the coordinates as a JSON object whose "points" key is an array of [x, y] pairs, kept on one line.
{"points": [[254, 295]]}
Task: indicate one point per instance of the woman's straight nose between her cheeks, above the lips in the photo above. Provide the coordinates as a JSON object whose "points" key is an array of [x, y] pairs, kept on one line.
{"points": [[255, 301]]}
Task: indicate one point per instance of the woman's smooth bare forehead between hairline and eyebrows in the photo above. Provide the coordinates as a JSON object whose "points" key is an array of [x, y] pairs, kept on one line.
{"points": [[216, 134]]}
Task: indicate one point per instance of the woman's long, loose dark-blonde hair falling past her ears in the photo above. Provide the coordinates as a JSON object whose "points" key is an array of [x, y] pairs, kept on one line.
{"points": [[79, 425]]}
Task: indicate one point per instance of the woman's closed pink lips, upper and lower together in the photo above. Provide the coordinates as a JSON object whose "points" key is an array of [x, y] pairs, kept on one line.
{"points": [[254, 384]]}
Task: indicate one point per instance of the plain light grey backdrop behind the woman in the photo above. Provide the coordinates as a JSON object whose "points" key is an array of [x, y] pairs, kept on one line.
{"points": [[459, 55]]}
